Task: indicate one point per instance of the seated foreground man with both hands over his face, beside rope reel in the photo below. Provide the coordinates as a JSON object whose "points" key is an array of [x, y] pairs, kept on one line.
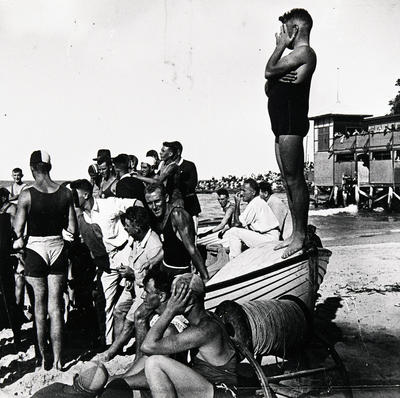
{"points": [[213, 370]]}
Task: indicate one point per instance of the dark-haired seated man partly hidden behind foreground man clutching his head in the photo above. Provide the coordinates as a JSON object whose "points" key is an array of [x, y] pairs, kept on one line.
{"points": [[157, 290]]}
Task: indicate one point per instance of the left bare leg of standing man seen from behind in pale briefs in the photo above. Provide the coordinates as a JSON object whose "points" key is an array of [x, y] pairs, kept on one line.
{"points": [[39, 287]]}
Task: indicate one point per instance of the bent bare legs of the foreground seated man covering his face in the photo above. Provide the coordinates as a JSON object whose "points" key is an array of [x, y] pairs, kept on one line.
{"points": [[170, 378]]}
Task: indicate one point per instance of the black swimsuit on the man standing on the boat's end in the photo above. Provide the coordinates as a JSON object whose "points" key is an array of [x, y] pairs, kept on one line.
{"points": [[288, 108]]}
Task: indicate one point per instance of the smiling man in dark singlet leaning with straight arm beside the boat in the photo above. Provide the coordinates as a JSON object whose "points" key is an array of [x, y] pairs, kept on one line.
{"points": [[177, 229]]}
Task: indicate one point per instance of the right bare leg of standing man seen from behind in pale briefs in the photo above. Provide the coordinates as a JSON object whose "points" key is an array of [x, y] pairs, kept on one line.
{"points": [[55, 309]]}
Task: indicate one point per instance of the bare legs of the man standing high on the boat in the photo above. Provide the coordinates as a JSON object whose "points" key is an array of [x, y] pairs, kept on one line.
{"points": [[290, 158]]}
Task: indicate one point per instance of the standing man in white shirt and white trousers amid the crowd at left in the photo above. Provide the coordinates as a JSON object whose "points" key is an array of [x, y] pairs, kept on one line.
{"points": [[102, 231]]}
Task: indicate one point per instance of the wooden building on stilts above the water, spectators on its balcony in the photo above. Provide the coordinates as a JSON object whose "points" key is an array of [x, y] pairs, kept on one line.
{"points": [[357, 157]]}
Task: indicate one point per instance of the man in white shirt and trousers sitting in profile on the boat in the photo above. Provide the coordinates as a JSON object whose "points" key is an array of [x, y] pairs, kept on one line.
{"points": [[258, 222]]}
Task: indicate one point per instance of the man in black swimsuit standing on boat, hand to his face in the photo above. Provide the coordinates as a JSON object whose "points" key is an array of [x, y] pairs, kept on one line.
{"points": [[288, 88]]}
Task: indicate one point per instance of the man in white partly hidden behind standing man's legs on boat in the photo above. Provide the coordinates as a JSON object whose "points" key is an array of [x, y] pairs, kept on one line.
{"points": [[279, 208]]}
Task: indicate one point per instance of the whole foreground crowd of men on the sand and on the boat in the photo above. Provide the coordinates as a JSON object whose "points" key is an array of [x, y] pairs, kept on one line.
{"points": [[138, 229]]}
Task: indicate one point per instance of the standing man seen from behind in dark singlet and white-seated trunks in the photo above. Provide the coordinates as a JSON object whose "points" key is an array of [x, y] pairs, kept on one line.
{"points": [[47, 209]]}
